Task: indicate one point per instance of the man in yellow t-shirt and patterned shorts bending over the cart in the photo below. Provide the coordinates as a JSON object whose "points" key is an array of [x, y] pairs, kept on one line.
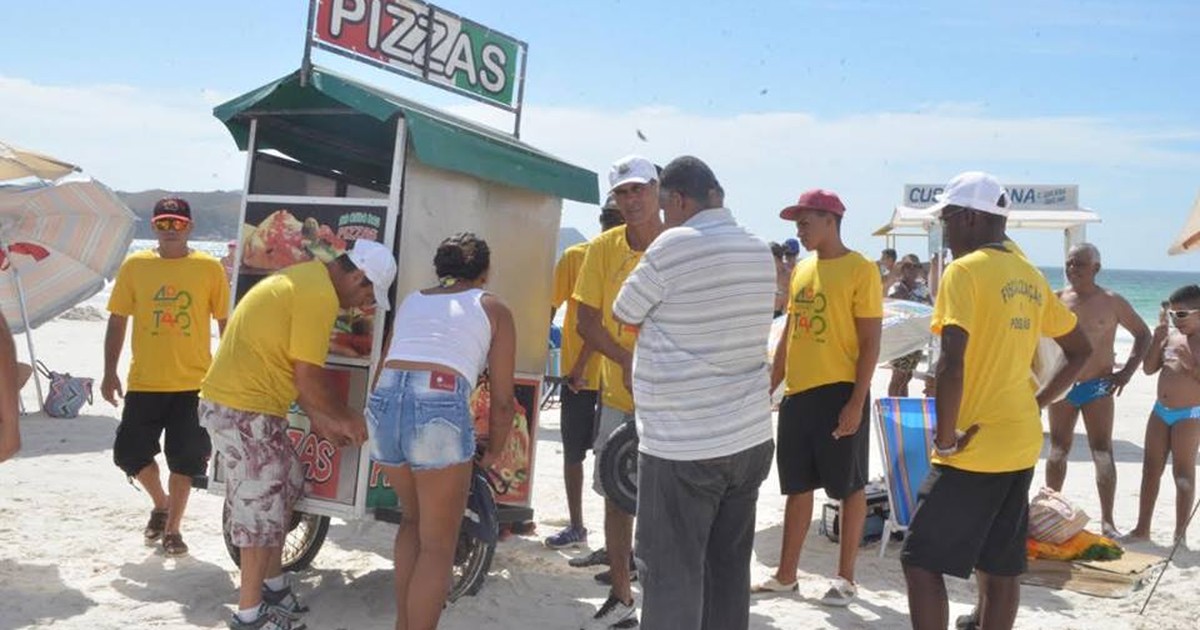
{"points": [[274, 353]]}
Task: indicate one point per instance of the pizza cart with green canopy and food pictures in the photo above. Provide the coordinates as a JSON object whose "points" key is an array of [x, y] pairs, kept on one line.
{"points": [[332, 160]]}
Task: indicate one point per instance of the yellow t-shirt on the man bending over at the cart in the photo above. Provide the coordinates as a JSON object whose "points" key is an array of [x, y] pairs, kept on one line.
{"points": [[285, 319]]}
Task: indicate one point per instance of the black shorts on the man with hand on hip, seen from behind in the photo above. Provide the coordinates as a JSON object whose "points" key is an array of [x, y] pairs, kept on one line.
{"points": [[969, 521]]}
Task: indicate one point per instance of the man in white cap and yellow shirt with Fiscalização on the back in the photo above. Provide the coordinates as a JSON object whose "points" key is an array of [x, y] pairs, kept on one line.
{"points": [[973, 509]]}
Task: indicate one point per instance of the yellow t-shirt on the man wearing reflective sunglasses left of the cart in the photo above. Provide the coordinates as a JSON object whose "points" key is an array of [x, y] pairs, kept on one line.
{"points": [[173, 303]]}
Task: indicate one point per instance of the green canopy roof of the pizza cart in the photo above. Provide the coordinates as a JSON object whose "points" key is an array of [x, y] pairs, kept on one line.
{"points": [[343, 125]]}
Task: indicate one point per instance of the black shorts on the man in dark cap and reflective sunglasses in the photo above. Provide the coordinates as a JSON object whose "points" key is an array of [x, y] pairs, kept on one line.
{"points": [[146, 417]]}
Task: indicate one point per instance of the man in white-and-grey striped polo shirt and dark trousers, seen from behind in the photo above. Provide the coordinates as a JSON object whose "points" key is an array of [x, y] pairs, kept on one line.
{"points": [[703, 296]]}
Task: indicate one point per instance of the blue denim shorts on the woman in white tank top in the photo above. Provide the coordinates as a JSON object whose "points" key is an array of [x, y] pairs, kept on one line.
{"points": [[421, 419]]}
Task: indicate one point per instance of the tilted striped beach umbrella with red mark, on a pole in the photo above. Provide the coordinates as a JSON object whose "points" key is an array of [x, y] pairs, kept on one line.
{"points": [[59, 244]]}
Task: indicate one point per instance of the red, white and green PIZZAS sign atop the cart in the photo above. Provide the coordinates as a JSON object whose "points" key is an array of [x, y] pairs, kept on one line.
{"points": [[395, 35]]}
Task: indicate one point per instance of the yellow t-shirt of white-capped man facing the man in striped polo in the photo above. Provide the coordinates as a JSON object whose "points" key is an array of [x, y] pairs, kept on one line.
{"points": [[607, 265]]}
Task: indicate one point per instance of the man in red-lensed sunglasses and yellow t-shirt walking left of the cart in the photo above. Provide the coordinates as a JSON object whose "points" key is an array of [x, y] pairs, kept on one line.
{"points": [[173, 293]]}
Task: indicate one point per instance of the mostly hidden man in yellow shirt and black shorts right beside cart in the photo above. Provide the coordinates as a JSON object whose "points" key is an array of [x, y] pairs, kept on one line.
{"points": [[580, 397]]}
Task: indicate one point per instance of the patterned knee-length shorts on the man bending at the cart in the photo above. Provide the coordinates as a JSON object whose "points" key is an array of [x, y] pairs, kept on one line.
{"points": [[261, 470]]}
